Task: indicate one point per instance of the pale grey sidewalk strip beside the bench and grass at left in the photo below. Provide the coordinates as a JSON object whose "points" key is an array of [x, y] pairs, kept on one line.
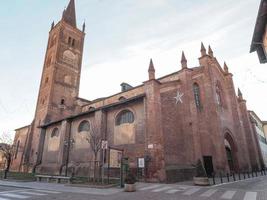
{"points": [[60, 187]]}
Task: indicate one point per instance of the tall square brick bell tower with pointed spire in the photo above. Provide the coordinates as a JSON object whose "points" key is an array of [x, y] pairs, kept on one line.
{"points": [[59, 87]]}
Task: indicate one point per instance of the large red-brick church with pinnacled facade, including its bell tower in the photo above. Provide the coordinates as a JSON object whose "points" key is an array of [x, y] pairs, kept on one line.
{"points": [[171, 121]]}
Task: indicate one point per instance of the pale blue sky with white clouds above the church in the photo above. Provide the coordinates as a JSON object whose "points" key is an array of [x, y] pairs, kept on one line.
{"points": [[121, 37]]}
